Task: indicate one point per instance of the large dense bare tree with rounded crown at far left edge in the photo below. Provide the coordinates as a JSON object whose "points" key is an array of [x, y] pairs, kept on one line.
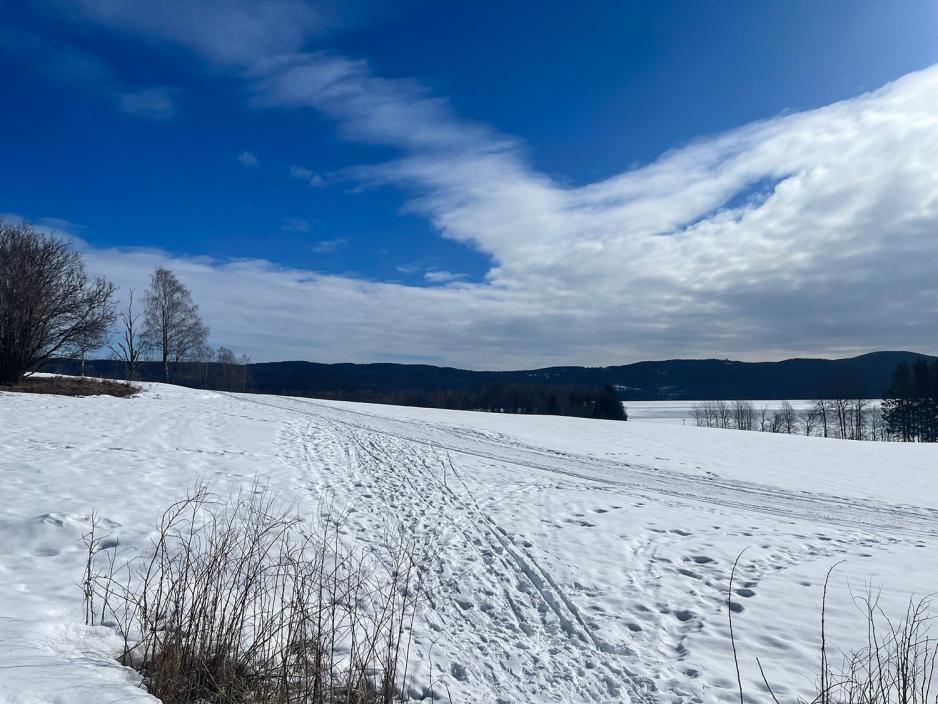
{"points": [[48, 304]]}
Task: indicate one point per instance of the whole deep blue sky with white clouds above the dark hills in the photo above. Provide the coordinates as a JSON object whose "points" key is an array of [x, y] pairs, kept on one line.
{"points": [[504, 156]]}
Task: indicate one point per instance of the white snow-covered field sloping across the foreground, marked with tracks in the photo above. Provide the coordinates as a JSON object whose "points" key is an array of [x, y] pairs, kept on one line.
{"points": [[578, 560]]}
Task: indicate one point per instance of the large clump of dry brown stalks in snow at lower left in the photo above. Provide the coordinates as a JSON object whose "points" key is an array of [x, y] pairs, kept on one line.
{"points": [[242, 600]]}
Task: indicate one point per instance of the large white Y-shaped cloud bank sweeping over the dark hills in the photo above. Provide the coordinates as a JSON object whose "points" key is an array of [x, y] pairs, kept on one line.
{"points": [[813, 232]]}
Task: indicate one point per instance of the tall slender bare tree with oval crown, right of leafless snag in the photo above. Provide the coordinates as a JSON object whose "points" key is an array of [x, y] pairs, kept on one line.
{"points": [[173, 324]]}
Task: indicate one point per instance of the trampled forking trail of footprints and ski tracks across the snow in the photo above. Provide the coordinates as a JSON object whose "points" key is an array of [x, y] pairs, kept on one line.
{"points": [[514, 599]]}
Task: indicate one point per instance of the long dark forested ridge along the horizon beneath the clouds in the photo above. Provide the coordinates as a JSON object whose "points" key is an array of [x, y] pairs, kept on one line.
{"points": [[680, 379]]}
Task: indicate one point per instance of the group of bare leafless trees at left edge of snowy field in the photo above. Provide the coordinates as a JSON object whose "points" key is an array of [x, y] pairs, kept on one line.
{"points": [[50, 308]]}
